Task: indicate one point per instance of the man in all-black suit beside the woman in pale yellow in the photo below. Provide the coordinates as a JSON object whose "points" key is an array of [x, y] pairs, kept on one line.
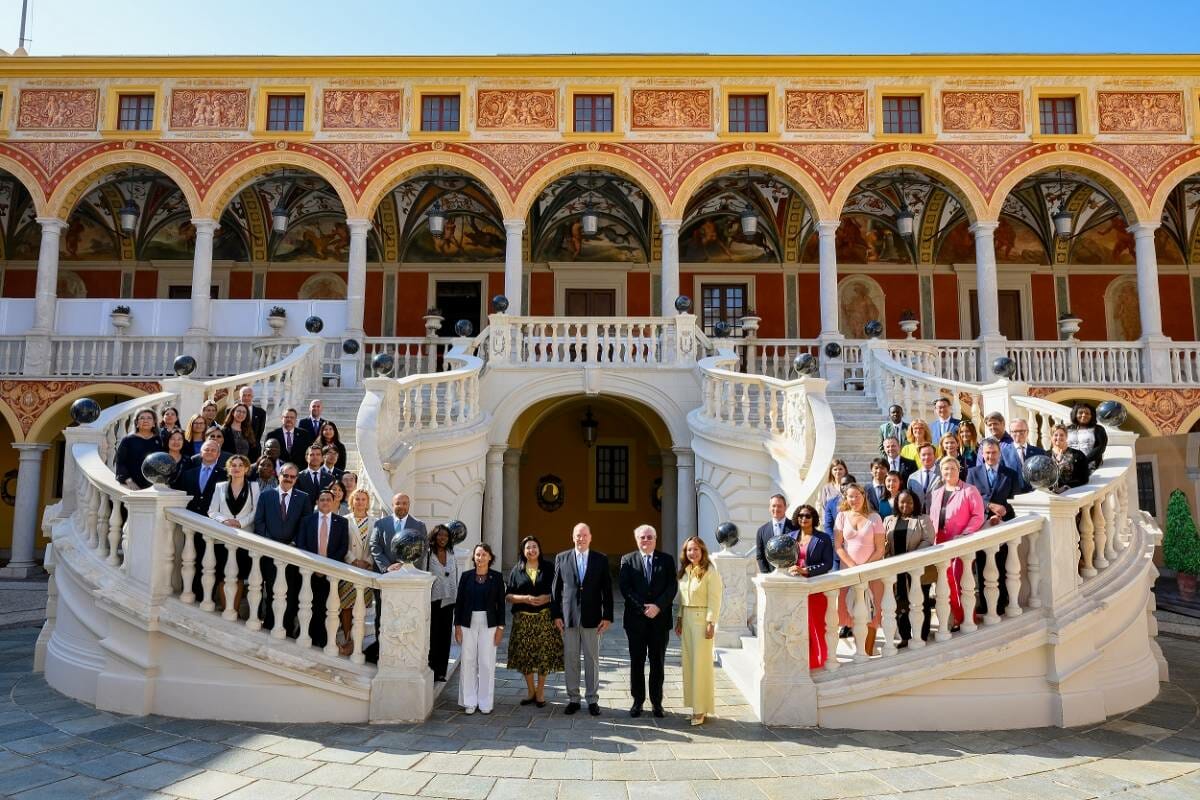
{"points": [[649, 585]]}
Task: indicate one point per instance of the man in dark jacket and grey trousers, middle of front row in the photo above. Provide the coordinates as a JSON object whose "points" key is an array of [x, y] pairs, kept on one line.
{"points": [[581, 605]]}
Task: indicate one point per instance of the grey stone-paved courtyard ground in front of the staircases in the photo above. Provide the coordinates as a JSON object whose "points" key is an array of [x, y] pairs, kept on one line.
{"points": [[57, 748]]}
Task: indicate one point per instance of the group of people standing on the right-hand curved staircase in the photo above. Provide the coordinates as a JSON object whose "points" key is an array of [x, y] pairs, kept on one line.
{"points": [[933, 483]]}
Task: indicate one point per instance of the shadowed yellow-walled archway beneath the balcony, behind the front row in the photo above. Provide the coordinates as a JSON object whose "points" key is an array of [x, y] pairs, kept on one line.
{"points": [[623, 479]]}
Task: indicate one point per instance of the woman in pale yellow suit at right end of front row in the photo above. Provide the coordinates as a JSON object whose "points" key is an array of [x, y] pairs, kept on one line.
{"points": [[700, 606]]}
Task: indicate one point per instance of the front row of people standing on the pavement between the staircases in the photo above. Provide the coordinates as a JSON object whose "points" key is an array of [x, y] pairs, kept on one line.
{"points": [[561, 609]]}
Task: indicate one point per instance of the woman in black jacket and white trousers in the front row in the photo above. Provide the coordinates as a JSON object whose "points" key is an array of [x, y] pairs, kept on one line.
{"points": [[478, 629]]}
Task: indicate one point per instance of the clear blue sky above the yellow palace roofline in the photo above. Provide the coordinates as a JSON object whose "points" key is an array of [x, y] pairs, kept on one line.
{"points": [[475, 27]]}
